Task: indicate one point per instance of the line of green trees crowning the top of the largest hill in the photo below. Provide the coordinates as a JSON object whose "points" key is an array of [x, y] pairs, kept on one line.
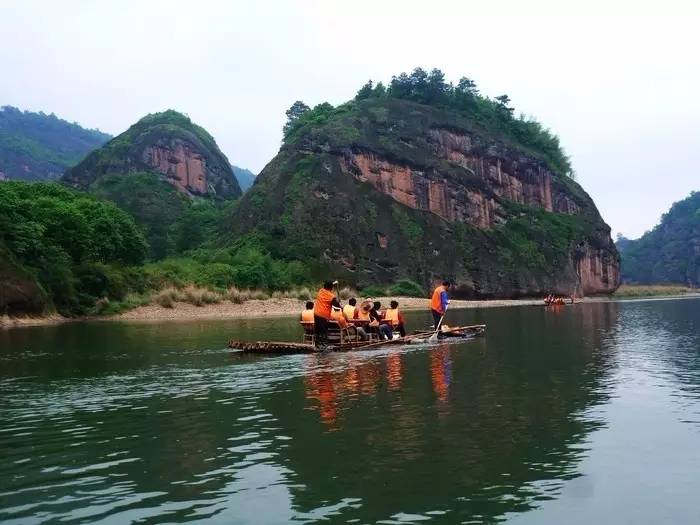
{"points": [[494, 116]]}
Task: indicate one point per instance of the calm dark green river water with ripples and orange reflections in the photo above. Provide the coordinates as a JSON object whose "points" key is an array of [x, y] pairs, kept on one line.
{"points": [[586, 415]]}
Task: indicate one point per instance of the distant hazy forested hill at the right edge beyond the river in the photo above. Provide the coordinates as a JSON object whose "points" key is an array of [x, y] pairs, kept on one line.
{"points": [[670, 253]]}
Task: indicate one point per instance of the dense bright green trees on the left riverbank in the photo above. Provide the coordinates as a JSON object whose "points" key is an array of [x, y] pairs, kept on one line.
{"points": [[71, 243]]}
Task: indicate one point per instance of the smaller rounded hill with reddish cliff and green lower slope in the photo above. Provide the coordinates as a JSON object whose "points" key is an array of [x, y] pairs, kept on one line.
{"points": [[168, 173]]}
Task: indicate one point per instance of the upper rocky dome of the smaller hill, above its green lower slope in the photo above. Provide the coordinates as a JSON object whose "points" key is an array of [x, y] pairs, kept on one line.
{"points": [[169, 145]]}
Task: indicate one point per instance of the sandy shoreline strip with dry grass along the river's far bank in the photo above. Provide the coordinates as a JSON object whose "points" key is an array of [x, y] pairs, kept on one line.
{"points": [[192, 303]]}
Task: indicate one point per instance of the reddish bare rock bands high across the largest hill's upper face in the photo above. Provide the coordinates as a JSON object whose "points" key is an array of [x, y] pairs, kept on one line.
{"points": [[517, 178]]}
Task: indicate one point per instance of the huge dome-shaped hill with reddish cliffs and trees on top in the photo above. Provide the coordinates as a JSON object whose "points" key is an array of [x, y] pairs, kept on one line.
{"points": [[423, 180]]}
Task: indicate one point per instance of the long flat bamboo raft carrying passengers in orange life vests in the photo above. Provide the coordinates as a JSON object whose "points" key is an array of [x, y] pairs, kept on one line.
{"points": [[284, 347]]}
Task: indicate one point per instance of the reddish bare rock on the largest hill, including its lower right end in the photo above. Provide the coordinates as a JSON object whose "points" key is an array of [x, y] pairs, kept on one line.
{"points": [[488, 175]]}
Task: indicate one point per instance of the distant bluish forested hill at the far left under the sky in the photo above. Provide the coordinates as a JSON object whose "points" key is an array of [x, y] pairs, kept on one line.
{"points": [[36, 146]]}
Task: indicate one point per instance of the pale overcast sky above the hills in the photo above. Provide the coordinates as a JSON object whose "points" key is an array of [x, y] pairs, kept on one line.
{"points": [[617, 80]]}
